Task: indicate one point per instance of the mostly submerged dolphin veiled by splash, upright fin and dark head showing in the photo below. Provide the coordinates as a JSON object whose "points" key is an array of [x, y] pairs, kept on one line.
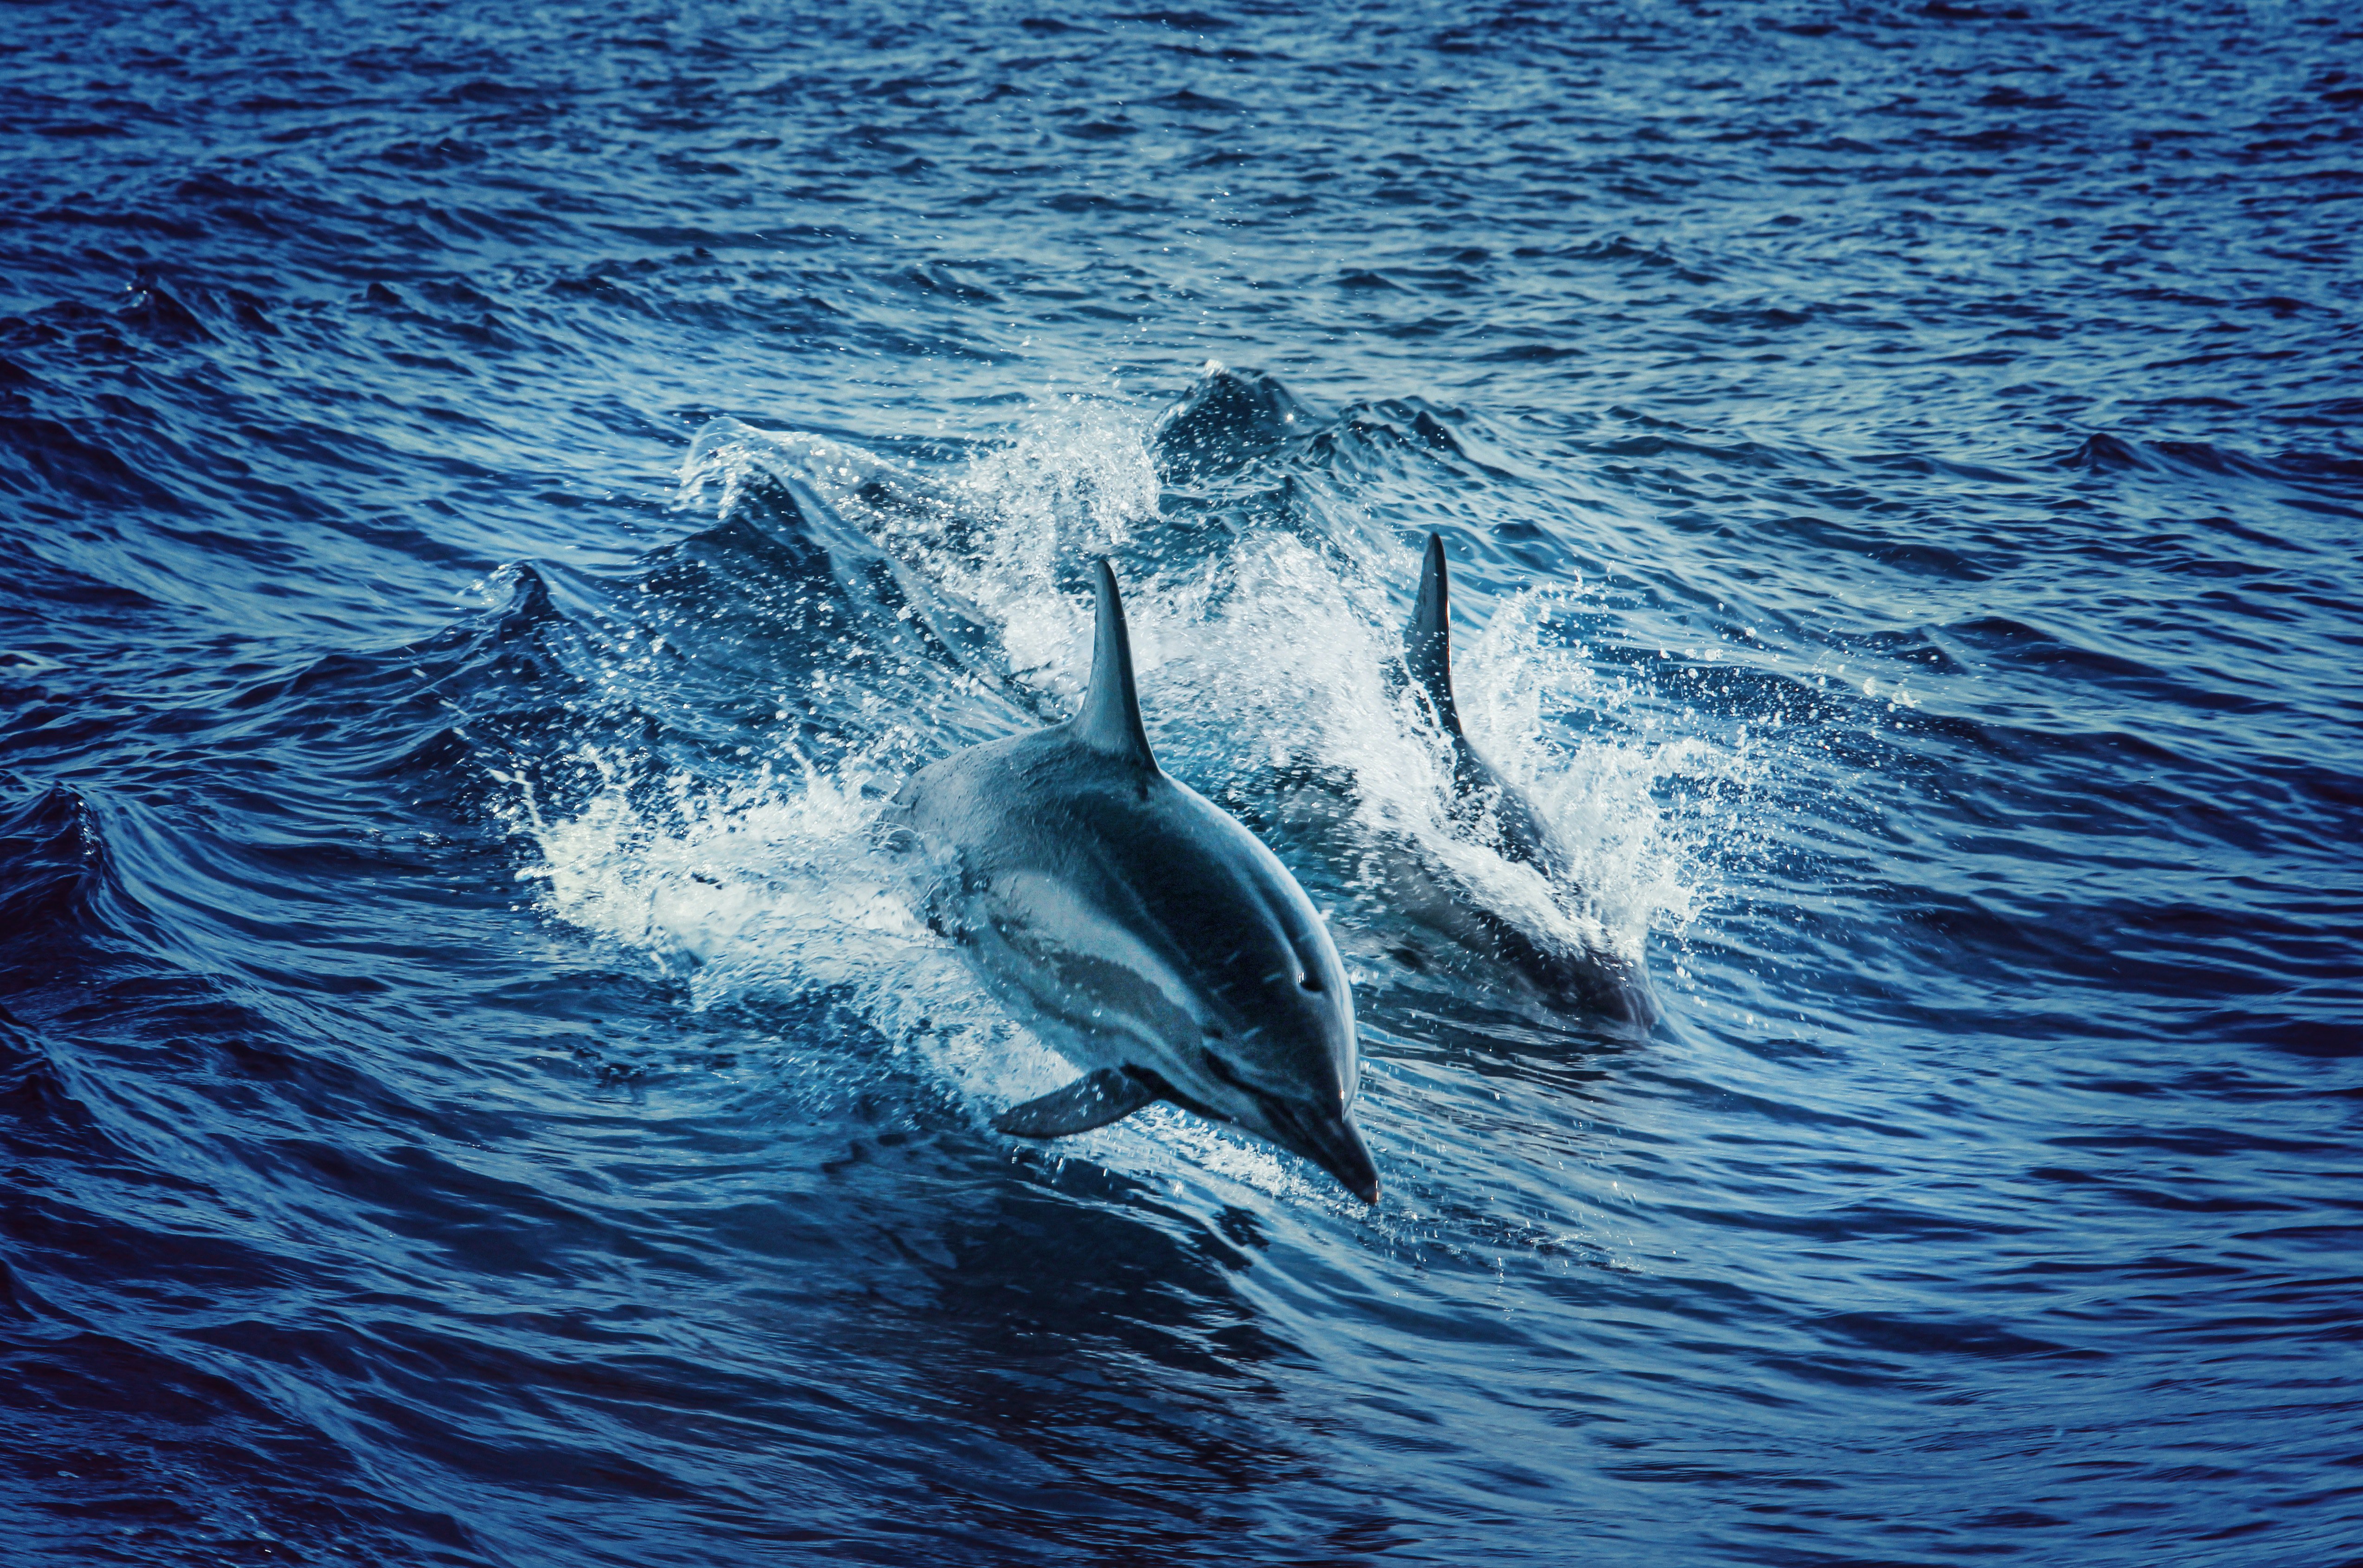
{"points": [[1499, 816]]}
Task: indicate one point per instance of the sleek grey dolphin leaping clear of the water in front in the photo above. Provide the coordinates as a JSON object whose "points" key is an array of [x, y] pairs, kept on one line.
{"points": [[1166, 948]]}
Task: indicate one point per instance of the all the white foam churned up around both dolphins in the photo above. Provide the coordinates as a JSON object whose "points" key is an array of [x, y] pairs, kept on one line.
{"points": [[1270, 653]]}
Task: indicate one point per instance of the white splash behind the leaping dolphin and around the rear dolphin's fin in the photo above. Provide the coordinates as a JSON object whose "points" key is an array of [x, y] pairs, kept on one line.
{"points": [[1272, 651]]}
